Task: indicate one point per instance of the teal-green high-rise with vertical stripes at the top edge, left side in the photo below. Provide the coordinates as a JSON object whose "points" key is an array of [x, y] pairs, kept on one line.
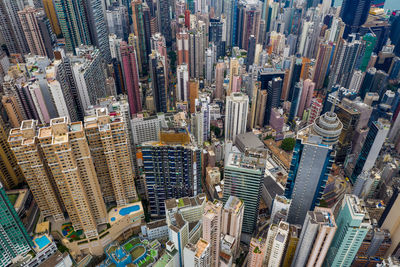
{"points": [[73, 23]]}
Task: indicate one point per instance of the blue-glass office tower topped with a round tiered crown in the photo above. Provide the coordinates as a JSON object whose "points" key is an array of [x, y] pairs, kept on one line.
{"points": [[311, 163]]}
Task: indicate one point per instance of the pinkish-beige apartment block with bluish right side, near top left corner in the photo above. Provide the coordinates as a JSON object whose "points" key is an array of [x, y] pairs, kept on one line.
{"points": [[37, 30]]}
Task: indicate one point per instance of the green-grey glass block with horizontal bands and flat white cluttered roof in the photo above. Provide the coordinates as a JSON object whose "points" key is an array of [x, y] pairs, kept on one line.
{"points": [[244, 174]]}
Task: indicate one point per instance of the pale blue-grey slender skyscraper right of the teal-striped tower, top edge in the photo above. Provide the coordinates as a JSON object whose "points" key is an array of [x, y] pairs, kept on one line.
{"points": [[98, 29]]}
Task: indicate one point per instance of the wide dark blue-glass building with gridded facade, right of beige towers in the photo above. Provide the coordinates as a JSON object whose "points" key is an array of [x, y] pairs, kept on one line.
{"points": [[172, 171]]}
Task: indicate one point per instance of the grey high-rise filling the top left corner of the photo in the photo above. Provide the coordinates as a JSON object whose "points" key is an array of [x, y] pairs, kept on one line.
{"points": [[11, 29]]}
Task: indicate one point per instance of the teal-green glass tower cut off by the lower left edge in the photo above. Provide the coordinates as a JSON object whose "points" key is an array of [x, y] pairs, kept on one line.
{"points": [[14, 238]]}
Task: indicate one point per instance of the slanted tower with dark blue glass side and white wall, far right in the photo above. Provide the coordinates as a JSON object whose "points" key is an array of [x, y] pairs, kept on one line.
{"points": [[372, 146]]}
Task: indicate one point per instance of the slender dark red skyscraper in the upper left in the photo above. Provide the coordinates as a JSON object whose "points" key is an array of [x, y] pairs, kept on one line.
{"points": [[131, 75]]}
